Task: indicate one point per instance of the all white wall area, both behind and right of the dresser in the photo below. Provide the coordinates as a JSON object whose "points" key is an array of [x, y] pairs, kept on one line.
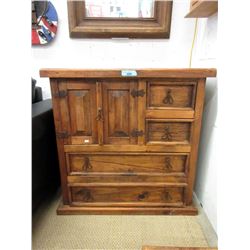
{"points": [[152, 53]]}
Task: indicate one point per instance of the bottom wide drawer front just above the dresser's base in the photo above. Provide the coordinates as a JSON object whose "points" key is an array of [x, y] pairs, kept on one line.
{"points": [[125, 194]]}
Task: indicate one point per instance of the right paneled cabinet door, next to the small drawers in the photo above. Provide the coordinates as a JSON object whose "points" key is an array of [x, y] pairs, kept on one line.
{"points": [[120, 111]]}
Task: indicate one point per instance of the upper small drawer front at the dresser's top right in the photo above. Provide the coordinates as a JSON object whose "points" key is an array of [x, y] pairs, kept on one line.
{"points": [[171, 95]]}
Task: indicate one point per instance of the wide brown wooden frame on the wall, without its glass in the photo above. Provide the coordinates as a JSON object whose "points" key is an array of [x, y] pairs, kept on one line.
{"points": [[81, 26]]}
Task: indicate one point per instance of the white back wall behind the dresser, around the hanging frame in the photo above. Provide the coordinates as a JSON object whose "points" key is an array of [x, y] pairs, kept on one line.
{"points": [[107, 53]]}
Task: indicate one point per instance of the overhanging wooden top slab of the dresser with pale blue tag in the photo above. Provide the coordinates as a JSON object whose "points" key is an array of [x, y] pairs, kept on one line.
{"points": [[129, 73]]}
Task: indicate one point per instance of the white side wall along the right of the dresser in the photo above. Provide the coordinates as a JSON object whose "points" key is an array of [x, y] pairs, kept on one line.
{"points": [[204, 55]]}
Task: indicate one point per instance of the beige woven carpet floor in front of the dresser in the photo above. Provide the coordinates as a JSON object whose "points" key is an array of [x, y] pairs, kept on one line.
{"points": [[50, 231]]}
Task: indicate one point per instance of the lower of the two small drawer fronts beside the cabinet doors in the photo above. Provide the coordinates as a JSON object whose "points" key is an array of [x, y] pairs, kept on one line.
{"points": [[167, 131]]}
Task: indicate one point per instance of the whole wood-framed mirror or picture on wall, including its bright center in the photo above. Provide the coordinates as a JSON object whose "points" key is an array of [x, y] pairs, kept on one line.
{"points": [[119, 18]]}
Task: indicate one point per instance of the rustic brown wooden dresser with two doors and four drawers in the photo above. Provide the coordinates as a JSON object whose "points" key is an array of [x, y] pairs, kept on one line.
{"points": [[127, 140]]}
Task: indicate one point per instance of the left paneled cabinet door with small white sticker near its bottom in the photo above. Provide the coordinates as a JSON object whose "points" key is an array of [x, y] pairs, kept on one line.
{"points": [[78, 112]]}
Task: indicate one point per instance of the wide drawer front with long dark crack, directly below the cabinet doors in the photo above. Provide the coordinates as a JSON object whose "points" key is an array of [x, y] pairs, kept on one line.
{"points": [[126, 164]]}
